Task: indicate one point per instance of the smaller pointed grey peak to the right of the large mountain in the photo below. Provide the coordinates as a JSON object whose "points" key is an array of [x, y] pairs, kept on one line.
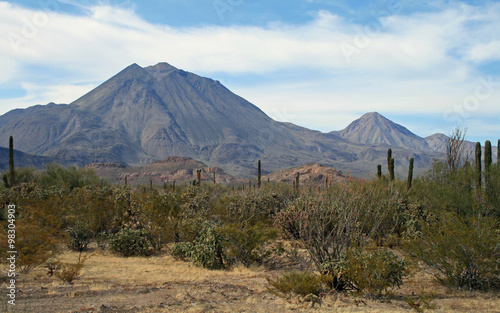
{"points": [[373, 128]]}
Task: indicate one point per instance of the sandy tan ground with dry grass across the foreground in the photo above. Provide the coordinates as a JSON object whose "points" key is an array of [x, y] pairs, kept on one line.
{"points": [[161, 284]]}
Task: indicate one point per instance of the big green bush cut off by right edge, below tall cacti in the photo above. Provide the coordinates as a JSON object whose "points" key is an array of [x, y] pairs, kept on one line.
{"points": [[463, 252]]}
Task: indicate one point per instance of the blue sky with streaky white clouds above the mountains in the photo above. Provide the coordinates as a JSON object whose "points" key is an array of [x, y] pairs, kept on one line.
{"points": [[428, 65]]}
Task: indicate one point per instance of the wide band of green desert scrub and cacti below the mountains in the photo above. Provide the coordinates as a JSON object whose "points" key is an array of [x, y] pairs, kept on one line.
{"points": [[358, 238]]}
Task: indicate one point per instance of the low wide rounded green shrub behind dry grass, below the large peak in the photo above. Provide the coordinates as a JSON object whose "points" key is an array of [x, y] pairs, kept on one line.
{"points": [[131, 242]]}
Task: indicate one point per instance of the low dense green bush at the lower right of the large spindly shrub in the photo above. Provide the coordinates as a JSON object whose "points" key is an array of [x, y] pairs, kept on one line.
{"points": [[366, 272]]}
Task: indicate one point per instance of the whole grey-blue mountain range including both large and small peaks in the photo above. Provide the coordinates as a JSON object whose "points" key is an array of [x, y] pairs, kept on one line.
{"points": [[142, 115]]}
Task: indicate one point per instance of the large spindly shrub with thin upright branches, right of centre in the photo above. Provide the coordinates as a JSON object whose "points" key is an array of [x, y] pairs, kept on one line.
{"points": [[328, 222]]}
